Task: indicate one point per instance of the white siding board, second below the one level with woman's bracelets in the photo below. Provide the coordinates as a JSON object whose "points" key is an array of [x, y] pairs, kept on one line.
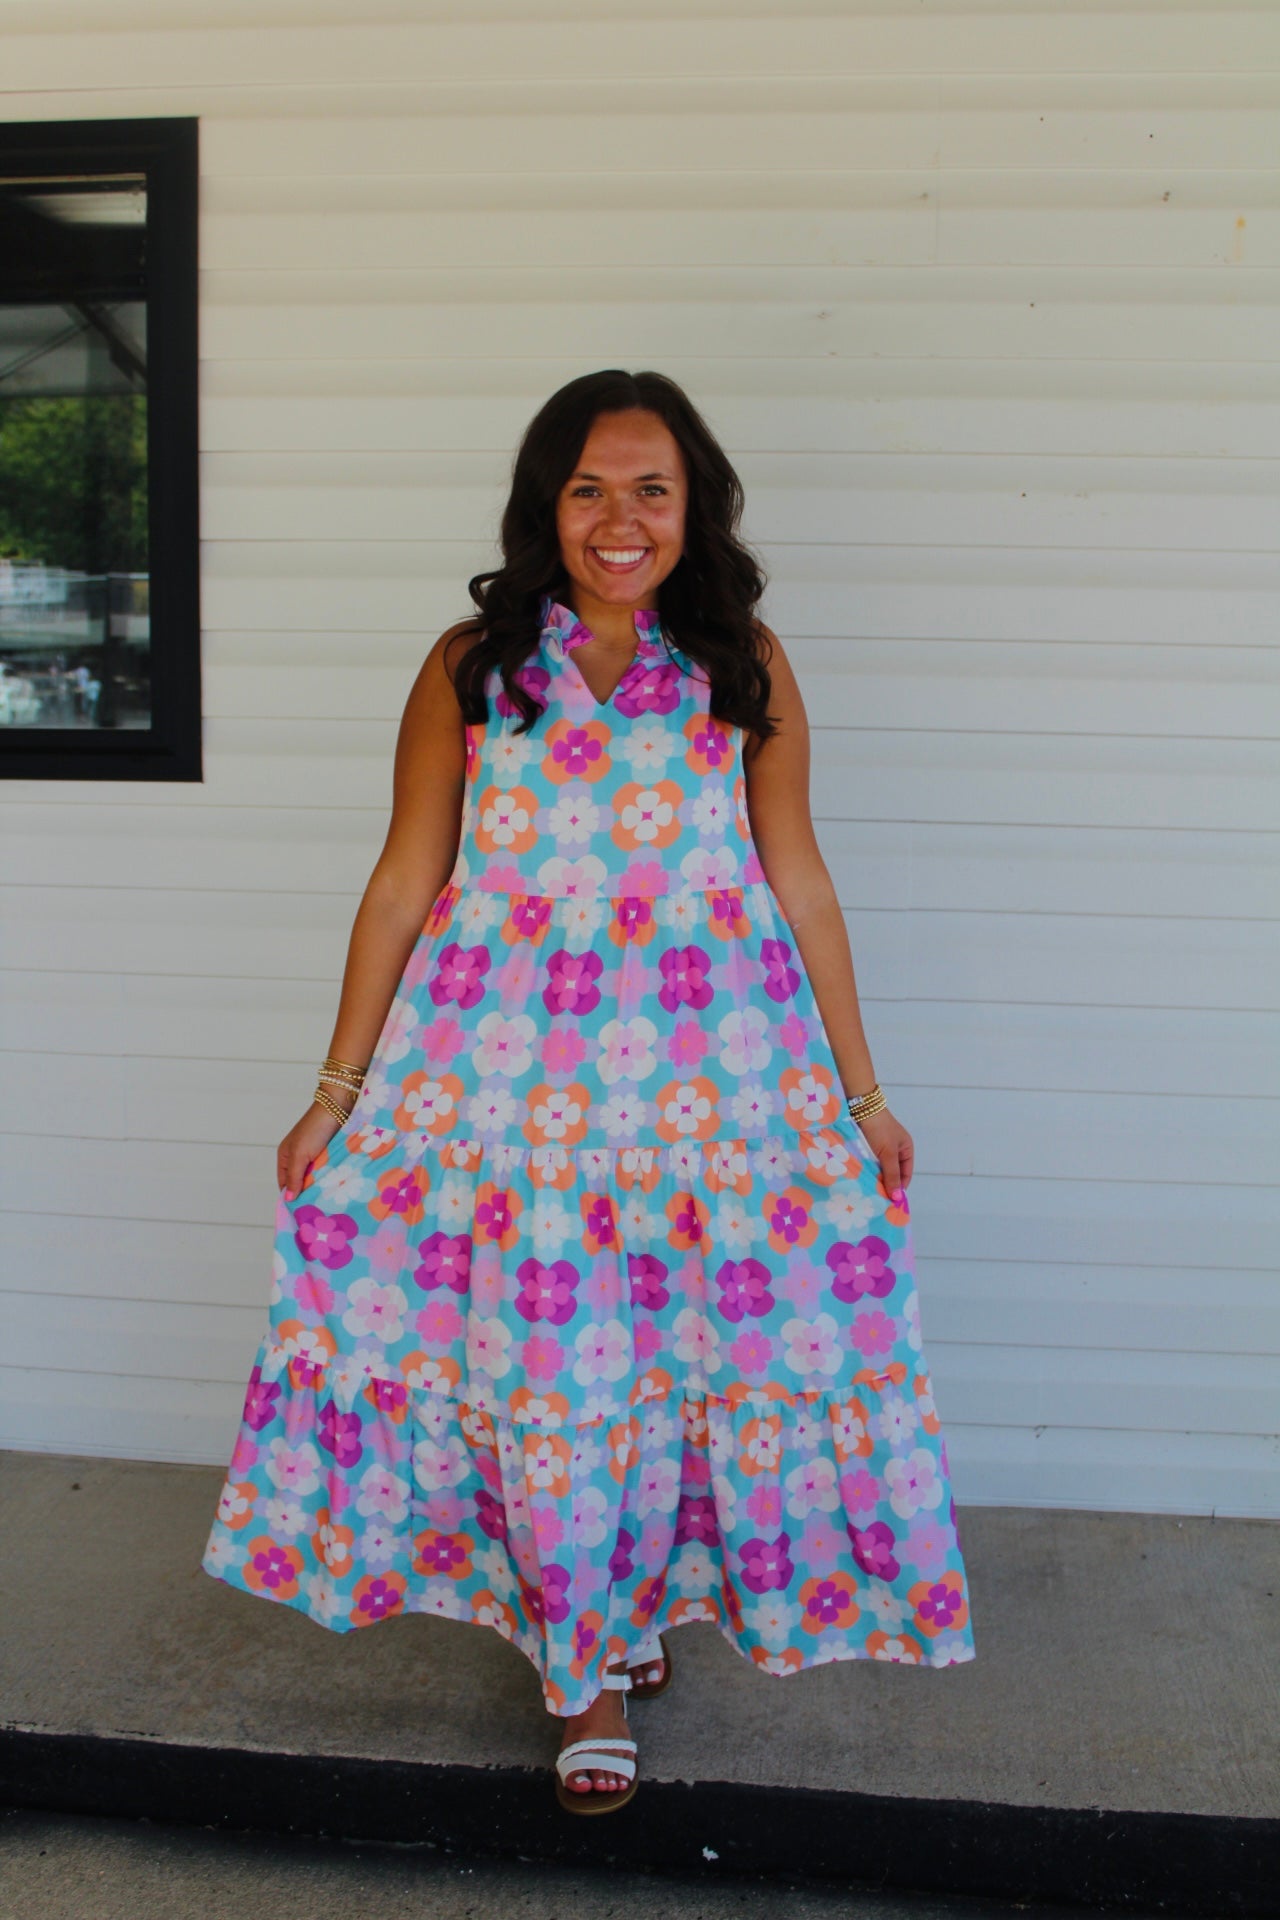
{"points": [[1001, 1305]]}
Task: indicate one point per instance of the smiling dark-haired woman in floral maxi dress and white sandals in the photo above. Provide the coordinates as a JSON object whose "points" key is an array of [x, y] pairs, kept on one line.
{"points": [[594, 1301]]}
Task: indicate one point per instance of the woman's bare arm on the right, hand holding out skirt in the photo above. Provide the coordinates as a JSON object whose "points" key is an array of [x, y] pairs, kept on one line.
{"points": [[778, 804]]}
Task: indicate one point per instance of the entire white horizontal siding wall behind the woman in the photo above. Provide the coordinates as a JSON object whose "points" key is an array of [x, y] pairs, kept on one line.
{"points": [[984, 306]]}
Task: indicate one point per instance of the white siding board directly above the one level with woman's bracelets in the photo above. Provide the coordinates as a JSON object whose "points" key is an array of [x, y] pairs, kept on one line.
{"points": [[1139, 1051]]}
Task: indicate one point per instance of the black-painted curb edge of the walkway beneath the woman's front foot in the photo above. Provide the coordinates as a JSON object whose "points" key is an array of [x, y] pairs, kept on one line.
{"points": [[1198, 1865]]}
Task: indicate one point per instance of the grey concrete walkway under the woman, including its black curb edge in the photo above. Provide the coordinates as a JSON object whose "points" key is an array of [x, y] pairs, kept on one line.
{"points": [[1118, 1739]]}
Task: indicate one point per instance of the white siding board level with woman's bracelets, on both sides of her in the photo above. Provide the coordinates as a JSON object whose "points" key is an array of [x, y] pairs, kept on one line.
{"points": [[1028, 1134]]}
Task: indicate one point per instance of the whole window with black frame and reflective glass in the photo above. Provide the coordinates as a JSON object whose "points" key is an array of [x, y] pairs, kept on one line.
{"points": [[99, 452]]}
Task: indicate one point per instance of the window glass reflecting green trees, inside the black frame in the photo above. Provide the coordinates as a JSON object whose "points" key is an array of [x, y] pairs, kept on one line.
{"points": [[74, 454]]}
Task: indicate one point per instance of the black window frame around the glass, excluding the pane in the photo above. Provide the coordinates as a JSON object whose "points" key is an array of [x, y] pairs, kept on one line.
{"points": [[168, 155]]}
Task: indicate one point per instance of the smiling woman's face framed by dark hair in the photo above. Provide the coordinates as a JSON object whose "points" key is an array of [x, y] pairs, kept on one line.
{"points": [[621, 516]]}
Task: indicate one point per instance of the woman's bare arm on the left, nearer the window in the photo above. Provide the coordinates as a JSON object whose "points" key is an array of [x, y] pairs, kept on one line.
{"points": [[414, 867]]}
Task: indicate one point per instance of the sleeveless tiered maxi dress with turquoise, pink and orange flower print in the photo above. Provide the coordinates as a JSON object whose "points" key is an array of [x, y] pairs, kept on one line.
{"points": [[596, 1316]]}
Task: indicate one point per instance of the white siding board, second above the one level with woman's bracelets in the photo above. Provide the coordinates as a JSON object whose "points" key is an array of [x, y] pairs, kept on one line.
{"points": [[1016, 959]]}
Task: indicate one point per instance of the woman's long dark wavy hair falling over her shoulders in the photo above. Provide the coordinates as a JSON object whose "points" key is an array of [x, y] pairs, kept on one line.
{"points": [[709, 600]]}
